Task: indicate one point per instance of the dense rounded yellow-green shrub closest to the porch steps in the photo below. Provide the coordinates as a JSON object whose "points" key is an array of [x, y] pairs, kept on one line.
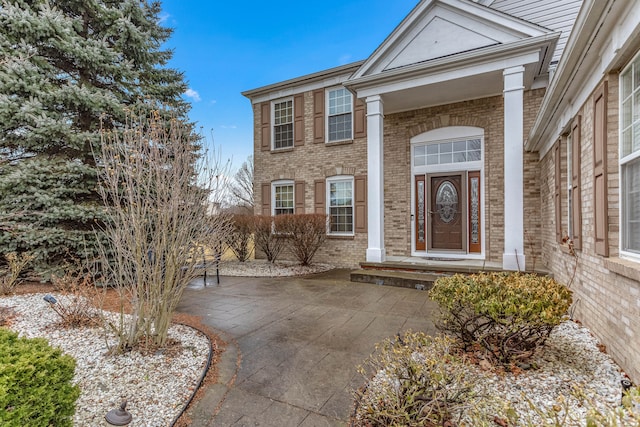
{"points": [[508, 314]]}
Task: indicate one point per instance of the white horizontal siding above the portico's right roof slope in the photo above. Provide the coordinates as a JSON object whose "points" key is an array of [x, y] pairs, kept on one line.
{"points": [[557, 15]]}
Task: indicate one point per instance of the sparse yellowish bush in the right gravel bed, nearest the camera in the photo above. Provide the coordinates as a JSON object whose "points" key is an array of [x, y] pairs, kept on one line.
{"points": [[414, 380]]}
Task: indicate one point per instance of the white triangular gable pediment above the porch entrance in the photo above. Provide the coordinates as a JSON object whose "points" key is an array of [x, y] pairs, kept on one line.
{"points": [[443, 28]]}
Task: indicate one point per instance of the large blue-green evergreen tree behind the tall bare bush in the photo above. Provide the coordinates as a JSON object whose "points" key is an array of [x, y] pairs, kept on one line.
{"points": [[66, 66]]}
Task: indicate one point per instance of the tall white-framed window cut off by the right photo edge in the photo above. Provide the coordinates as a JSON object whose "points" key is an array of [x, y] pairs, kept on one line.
{"points": [[630, 158]]}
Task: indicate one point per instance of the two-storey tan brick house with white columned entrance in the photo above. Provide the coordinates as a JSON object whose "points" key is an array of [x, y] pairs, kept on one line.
{"points": [[478, 131]]}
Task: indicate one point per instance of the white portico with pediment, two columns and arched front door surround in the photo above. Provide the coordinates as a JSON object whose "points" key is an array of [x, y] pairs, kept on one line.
{"points": [[446, 52]]}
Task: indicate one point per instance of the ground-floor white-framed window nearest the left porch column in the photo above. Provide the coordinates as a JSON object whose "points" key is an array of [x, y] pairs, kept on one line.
{"points": [[340, 205]]}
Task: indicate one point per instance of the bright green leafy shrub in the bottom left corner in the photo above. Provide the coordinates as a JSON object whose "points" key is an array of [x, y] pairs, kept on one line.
{"points": [[35, 383]]}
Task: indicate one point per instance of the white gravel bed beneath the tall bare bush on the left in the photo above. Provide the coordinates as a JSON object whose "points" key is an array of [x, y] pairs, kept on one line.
{"points": [[156, 386]]}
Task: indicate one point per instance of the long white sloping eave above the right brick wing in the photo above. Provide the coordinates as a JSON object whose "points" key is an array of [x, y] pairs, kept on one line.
{"points": [[591, 16]]}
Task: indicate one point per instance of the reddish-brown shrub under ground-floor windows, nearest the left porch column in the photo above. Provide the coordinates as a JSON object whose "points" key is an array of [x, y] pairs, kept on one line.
{"points": [[306, 233]]}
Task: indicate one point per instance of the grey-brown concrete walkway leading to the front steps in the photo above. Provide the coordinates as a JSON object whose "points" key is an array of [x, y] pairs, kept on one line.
{"points": [[299, 341]]}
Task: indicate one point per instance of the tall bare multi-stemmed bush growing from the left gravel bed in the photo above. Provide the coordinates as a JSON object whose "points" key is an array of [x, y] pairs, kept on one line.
{"points": [[159, 188]]}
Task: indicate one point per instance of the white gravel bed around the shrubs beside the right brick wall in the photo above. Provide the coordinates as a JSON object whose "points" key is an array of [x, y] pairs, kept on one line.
{"points": [[570, 360]]}
